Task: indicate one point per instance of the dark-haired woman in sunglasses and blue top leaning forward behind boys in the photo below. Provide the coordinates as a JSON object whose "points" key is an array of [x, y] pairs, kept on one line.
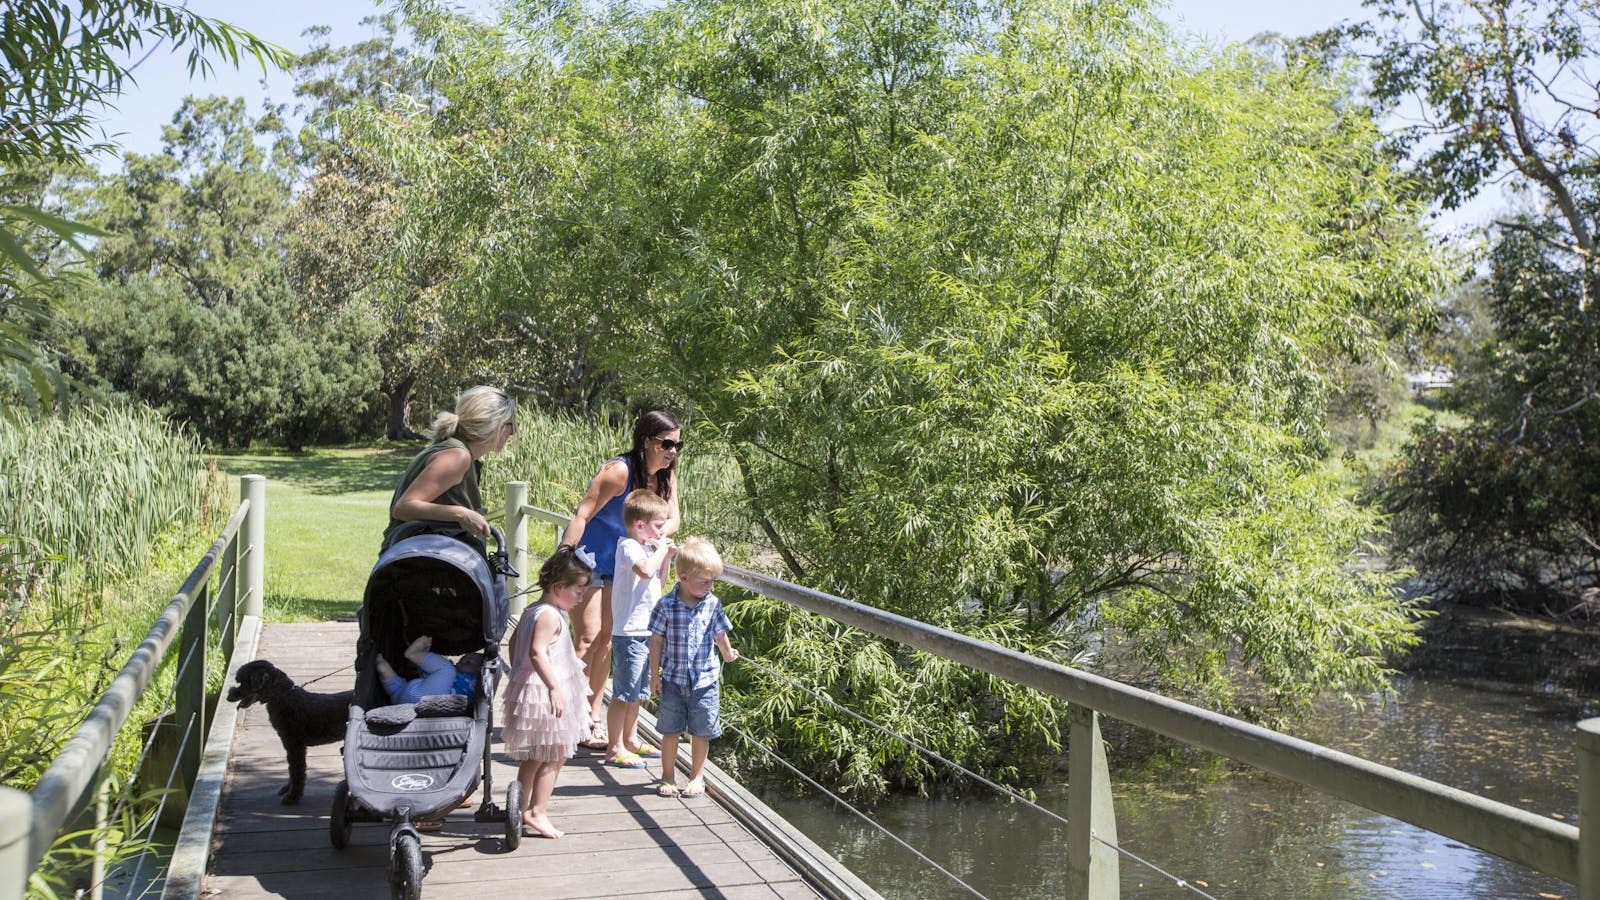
{"points": [[652, 464]]}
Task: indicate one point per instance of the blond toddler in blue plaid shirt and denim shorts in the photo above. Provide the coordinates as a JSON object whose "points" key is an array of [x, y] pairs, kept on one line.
{"points": [[684, 629]]}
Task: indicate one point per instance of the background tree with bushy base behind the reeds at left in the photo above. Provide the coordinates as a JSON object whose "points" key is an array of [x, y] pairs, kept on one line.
{"points": [[196, 315]]}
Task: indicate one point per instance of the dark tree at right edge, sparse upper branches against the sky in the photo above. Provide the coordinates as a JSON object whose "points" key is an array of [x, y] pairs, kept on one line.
{"points": [[1497, 508]]}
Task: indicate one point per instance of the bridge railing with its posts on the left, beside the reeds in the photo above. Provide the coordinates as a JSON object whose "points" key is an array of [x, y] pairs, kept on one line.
{"points": [[222, 590]]}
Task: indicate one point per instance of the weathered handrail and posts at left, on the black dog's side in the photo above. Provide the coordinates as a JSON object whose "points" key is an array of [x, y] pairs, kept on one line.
{"points": [[65, 789]]}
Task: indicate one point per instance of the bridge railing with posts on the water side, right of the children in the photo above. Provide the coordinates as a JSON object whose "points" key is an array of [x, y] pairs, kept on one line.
{"points": [[1553, 848]]}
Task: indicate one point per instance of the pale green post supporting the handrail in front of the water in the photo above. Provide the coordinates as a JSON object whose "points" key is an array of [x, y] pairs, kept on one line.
{"points": [[1092, 822]]}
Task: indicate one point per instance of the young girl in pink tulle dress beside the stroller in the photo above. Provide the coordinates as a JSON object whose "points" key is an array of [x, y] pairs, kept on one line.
{"points": [[548, 694]]}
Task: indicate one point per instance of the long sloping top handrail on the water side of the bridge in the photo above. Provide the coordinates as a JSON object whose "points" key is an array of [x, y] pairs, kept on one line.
{"points": [[1546, 846]]}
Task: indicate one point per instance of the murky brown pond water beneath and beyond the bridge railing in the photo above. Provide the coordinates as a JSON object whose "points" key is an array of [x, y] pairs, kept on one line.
{"points": [[1236, 834]]}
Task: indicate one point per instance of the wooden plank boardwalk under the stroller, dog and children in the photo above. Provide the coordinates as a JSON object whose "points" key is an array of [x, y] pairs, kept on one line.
{"points": [[622, 838]]}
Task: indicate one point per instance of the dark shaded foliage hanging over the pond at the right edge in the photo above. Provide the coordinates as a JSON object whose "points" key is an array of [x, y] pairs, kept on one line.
{"points": [[1503, 510]]}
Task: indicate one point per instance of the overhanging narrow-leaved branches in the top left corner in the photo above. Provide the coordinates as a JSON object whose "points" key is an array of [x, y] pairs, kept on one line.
{"points": [[60, 63]]}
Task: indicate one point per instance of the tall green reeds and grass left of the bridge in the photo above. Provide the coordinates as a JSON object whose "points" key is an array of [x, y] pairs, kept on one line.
{"points": [[94, 513]]}
